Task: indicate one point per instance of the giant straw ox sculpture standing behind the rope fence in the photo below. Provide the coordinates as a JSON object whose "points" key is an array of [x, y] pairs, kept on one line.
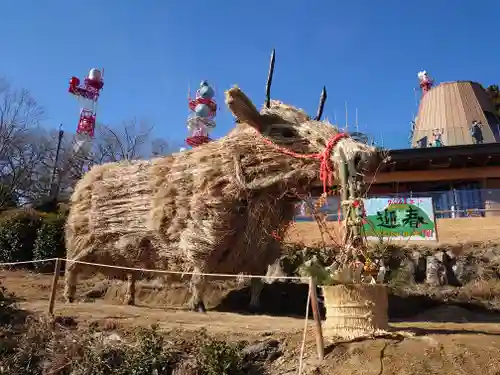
{"points": [[219, 208]]}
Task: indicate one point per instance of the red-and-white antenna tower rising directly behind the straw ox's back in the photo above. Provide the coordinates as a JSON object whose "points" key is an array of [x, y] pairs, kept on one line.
{"points": [[202, 118]]}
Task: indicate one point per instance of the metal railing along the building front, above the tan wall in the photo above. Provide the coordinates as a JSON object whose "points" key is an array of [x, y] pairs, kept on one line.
{"points": [[448, 204]]}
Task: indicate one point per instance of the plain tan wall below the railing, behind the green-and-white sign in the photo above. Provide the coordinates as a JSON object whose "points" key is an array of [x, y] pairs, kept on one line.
{"points": [[449, 231]]}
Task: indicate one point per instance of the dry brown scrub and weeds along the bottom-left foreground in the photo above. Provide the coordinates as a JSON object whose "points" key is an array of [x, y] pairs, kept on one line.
{"points": [[60, 347]]}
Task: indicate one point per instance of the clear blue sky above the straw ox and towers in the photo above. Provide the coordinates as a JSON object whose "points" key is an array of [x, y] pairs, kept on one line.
{"points": [[366, 53]]}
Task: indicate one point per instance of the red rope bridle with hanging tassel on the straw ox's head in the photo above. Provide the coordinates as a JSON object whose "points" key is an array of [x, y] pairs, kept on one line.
{"points": [[326, 168]]}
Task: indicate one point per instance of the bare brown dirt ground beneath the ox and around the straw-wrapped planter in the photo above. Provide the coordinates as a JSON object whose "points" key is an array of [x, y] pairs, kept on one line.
{"points": [[472, 346]]}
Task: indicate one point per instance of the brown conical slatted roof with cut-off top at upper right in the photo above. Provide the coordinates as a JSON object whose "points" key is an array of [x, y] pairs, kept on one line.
{"points": [[451, 107]]}
